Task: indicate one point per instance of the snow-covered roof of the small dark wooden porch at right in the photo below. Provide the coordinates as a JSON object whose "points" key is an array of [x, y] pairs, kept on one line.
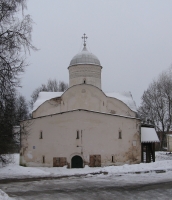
{"points": [[148, 135]]}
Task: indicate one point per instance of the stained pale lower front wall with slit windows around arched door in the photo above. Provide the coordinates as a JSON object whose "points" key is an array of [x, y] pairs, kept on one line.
{"points": [[99, 136]]}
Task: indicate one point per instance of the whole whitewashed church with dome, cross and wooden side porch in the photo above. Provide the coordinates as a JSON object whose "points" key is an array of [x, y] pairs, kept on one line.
{"points": [[84, 125]]}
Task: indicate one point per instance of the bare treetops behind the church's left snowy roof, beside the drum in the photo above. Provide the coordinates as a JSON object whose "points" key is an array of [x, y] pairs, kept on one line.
{"points": [[51, 86]]}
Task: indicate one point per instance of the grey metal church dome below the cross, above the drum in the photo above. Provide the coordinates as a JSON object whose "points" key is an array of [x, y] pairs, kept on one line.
{"points": [[84, 57]]}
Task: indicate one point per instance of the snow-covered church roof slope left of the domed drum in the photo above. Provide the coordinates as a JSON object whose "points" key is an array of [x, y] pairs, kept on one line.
{"points": [[44, 96]]}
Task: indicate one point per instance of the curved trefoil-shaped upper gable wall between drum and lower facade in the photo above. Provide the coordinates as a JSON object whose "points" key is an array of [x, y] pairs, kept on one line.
{"points": [[84, 97]]}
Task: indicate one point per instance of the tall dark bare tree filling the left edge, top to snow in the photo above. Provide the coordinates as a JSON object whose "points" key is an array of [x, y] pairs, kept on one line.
{"points": [[15, 42]]}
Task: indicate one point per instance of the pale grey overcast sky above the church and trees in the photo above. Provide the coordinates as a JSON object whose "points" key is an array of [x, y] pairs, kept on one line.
{"points": [[131, 38]]}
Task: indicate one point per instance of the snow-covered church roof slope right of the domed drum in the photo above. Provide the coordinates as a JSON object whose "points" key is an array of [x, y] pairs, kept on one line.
{"points": [[125, 97]]}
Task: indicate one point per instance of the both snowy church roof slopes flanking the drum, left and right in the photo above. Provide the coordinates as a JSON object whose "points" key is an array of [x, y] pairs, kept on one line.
{"points": [[125, 97]]}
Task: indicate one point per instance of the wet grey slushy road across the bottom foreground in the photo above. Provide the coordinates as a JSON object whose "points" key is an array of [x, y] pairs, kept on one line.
{"points": [[146, 186]]}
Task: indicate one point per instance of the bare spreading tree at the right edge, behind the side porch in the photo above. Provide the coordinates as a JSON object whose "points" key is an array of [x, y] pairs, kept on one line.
{"points": [[156, 103]]}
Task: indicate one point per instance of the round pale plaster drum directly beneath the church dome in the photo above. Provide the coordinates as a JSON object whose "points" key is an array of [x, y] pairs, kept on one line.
{"points": [[90, 73]]}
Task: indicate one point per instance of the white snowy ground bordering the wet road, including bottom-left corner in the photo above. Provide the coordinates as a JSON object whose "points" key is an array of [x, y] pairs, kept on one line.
{"points": [[13, 170]]}
